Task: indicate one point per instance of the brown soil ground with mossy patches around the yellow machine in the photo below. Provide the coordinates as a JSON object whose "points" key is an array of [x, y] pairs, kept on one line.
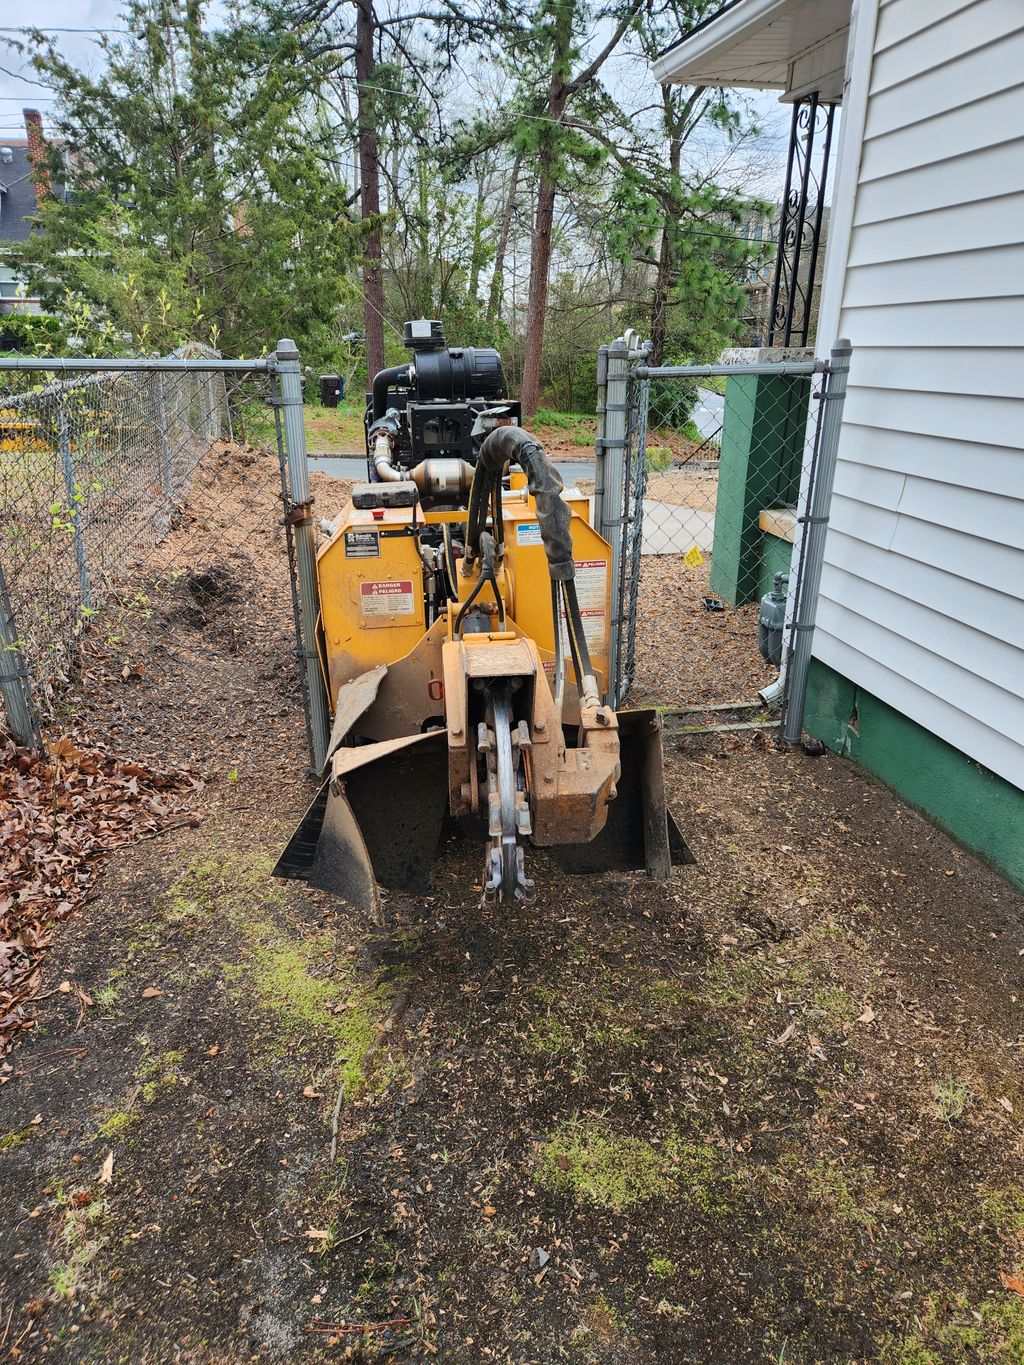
{"points": [[767, 1112]]}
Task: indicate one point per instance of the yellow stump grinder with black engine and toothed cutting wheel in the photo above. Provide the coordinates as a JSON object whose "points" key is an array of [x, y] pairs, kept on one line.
{"points": [[466, 608]]}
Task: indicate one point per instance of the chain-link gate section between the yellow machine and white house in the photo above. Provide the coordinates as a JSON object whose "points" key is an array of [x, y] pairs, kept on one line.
{"points": [[704, 484]]}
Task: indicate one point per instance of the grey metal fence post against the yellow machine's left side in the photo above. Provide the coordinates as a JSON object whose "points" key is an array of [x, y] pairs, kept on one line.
{"points": [[301, 518]]}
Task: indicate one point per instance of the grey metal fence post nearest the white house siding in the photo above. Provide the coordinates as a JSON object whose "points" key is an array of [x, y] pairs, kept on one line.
{"points": [[816, 525]]}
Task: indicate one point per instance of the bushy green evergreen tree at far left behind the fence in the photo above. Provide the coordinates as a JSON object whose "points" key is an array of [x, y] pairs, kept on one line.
{"points": [[200, 205]]}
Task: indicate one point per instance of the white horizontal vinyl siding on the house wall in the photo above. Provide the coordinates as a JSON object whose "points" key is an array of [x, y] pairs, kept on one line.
{"points": [[924, 584]]}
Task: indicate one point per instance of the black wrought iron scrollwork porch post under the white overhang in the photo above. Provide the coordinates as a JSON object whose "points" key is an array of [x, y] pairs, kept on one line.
{"points": [[801, 226]]}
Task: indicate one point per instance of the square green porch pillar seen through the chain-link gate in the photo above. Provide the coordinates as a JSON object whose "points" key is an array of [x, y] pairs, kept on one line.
{"points": [[758, 468]]}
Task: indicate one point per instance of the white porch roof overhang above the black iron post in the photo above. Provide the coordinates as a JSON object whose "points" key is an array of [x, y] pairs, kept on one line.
{"points": [[790, 46]]}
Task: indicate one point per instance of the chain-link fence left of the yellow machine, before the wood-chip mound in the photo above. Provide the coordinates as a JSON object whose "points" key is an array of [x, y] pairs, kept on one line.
{"points": [[136, 499]]}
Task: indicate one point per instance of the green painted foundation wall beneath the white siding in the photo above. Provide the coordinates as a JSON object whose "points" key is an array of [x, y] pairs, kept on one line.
{"points": [[977, 807]]}
